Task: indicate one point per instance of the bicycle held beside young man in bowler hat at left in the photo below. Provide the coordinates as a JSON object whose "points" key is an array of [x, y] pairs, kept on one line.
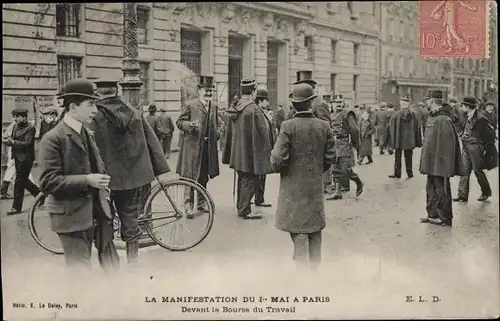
{"points": [[182, 214]]}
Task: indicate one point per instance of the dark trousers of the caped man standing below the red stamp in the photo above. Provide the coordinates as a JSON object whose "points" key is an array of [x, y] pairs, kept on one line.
{"points": [[439, 203]]}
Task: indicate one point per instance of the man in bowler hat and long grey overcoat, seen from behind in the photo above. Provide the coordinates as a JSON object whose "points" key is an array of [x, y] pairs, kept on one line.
{"points": [[304, 150]]}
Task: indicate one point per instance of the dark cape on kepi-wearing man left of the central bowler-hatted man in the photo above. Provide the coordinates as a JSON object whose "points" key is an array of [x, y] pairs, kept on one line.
{"points": [[249, 138]]}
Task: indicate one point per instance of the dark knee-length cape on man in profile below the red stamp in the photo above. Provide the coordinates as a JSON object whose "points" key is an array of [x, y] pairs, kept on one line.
{"points": [[441, 149]]}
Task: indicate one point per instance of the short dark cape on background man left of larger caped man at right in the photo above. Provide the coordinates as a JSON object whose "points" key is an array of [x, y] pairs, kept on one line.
{"points": [[404, 130]]}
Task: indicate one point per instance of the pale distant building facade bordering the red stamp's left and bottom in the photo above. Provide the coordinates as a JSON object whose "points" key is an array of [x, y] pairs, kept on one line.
{"points": [[402, 71]]}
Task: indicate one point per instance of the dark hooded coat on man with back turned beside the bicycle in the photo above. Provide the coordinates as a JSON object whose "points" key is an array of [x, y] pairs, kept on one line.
{"points": [[128, 145]]}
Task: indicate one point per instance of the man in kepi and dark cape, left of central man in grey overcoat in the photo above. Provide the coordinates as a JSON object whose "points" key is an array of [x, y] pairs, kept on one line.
{"points": [[248, 147]]}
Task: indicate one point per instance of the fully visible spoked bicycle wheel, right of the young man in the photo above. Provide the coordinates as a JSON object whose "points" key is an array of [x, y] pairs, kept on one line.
{"points": [[178, 214]]}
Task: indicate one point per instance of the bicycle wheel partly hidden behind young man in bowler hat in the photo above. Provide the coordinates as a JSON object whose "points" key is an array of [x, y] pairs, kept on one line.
{"points": [[40, 227]]}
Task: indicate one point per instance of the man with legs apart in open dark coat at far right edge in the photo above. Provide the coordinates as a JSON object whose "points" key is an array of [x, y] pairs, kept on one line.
{"points": [[477, 135]]}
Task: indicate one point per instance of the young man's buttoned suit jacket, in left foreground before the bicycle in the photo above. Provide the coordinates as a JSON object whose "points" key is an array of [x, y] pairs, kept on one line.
{"points": [[64, 164]]}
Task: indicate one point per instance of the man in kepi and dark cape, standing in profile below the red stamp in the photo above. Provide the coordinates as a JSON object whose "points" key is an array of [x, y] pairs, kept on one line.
{"points": [[440, 160]]}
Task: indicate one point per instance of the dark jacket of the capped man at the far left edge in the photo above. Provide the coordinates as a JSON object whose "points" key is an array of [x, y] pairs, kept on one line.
{"points": [[23, 142]]}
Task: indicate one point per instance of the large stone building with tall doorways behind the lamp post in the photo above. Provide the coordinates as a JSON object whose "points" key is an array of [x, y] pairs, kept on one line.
{"points": [[47, 44]]}
